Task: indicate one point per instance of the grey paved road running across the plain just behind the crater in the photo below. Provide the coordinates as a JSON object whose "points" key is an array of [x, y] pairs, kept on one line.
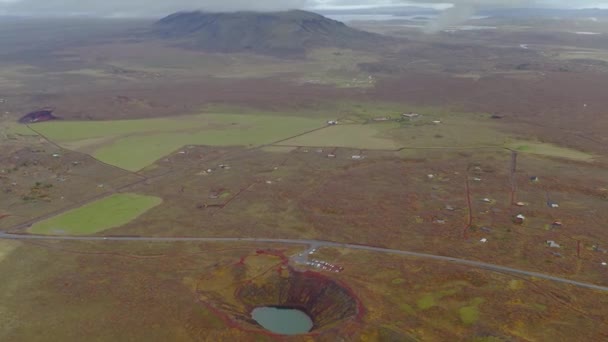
{"points": [[317, 244]]}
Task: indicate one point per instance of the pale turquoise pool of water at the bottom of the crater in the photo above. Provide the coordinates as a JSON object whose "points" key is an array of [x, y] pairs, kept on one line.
{"points": [[282, 321]]}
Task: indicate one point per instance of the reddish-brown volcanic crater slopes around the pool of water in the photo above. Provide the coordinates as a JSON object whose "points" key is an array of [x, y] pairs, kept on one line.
{"points": [[327, 302]]}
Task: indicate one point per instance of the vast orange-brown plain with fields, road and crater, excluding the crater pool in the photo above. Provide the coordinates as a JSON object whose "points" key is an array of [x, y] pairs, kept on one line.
{"points": [[422, 187]]}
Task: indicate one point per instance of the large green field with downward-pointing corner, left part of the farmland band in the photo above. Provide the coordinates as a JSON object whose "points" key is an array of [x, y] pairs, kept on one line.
{"points": [[135, 144]]}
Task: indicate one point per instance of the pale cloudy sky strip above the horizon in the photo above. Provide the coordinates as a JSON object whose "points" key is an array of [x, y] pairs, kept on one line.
{"points": [[162, 7]]}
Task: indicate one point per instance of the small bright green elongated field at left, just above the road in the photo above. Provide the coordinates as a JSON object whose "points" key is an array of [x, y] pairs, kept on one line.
{"points": [[110, 212]]}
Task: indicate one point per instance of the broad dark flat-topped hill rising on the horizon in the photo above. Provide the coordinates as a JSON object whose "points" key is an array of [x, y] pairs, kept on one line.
{"points": [[289, 33]]}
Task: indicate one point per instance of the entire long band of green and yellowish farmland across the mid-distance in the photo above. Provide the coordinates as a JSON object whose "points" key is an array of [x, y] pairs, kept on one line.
{"points": [[136, 144]]}
